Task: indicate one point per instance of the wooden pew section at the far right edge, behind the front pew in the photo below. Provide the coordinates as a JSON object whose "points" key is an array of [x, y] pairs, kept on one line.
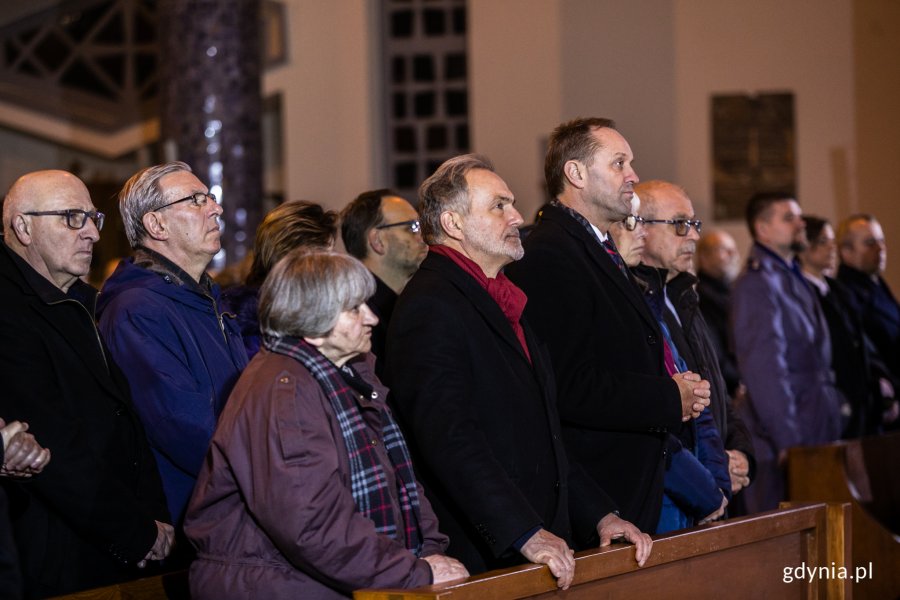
{"points": [[865, 474]]}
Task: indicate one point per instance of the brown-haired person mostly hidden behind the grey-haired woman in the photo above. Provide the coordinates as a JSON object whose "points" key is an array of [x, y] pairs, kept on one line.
{"points": [[295, 224]]}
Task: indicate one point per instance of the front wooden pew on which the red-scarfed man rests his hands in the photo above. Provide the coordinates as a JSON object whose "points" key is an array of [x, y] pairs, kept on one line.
{"points": [[739, 558]]}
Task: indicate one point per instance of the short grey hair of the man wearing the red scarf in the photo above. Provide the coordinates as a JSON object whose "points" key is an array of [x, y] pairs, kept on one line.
{"points": [[445, 190]]}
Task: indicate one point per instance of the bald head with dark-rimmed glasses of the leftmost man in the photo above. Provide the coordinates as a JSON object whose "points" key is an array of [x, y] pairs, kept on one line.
{"points": [[46, 242]]}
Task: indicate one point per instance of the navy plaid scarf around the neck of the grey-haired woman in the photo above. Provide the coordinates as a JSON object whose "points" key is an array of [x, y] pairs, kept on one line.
{"points": [[368, 482]]}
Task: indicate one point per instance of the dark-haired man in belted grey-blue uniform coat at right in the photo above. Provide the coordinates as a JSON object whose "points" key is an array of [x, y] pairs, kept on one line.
{"points": [[783, 348]]}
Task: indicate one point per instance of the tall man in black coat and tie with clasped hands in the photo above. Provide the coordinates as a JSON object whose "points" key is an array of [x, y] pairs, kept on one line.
{"points": [[616, 399]]}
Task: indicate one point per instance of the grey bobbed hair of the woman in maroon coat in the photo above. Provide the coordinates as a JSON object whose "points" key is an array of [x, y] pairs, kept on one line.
{"points": [[306, 291]]}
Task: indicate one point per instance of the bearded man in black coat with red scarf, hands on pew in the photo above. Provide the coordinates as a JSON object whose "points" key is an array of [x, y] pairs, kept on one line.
{"points": [[474, 390]]}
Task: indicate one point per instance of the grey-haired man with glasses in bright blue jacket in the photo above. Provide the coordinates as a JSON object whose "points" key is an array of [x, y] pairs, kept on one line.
{"points": [[159, 313]]}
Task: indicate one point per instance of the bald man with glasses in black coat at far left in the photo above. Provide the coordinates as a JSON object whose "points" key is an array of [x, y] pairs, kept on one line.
{"points": [[97, 511]]}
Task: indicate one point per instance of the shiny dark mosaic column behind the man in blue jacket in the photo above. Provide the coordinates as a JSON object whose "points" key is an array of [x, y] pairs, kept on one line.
{"points": [[211, 106]]}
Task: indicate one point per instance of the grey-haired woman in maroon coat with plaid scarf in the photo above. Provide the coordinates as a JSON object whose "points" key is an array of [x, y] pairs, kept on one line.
{"points": [[307, 490]]}
